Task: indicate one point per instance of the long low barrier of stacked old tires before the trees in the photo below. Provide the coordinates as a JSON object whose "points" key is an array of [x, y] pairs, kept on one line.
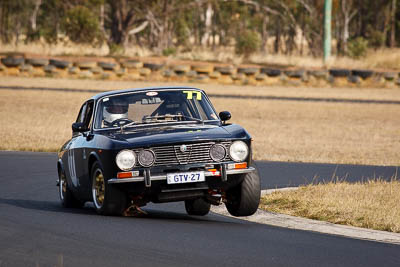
{"points": [[201, 72]]}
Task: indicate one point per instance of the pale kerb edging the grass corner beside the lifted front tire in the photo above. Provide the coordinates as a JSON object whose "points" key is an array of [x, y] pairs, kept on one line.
{"points": [[298, 223]]}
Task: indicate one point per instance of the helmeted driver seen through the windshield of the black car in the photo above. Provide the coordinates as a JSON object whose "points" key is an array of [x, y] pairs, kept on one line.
{"points": [[114, 109]]}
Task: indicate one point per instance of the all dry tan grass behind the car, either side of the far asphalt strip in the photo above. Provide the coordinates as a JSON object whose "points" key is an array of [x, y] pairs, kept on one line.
{"points": [[282, 130]]}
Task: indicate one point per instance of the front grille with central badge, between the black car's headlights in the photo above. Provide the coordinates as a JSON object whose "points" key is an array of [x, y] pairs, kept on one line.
{"points": [[194, 153]]}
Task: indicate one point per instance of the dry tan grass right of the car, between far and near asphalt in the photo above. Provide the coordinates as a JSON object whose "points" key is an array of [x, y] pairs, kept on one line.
{"points": [[319, 132]]}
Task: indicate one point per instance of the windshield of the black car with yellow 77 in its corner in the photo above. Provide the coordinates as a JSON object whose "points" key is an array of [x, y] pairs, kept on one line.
{"points": [[153, 107]]}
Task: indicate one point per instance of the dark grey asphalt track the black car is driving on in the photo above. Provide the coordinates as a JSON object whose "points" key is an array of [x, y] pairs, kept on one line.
{"points": [[36, 231]]}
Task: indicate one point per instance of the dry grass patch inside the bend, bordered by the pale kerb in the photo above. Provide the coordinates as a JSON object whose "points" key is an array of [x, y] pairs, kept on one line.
{"points": [[374, 205]]}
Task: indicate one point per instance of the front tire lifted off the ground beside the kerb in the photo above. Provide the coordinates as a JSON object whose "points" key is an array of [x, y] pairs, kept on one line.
{"points": [[244, 198]]}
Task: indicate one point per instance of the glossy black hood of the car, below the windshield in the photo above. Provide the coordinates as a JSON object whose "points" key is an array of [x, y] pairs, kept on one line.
{"points": [[154, 136]]}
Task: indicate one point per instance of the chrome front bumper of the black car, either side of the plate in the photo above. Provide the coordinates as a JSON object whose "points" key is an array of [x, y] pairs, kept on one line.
{"points": [[164, 177]]}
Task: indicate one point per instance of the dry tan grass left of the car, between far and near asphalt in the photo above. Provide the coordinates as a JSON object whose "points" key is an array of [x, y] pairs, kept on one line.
{"points": [[37, 120]]}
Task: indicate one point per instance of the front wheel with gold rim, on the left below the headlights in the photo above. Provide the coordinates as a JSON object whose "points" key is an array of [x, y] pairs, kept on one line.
{"points": [[107, 198]]}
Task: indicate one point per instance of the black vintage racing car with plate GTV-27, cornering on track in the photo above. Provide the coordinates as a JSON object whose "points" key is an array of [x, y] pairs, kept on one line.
{"points": [[131, 147]]}
